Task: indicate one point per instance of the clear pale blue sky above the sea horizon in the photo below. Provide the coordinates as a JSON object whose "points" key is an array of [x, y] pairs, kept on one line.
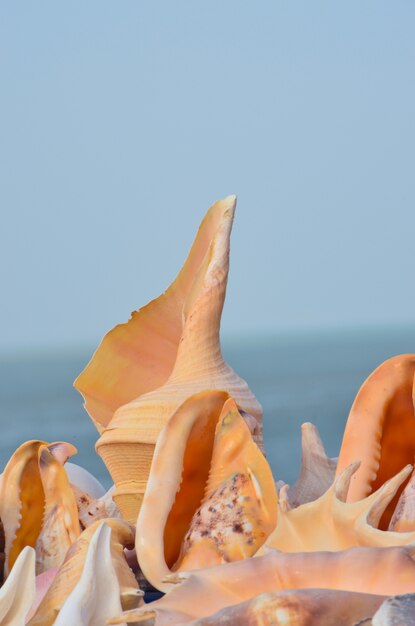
{"points": [[122, 122]]}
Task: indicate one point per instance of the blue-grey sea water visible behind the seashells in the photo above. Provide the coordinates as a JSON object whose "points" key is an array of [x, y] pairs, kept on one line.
{"points": [[296, 377]]}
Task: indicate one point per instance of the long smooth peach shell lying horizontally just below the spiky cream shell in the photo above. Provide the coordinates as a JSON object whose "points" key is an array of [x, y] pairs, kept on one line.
{"points": [[379, 571]]}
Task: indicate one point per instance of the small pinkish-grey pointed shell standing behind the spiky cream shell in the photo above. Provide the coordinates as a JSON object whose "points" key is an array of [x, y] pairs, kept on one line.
{"points": [[317, 469]]}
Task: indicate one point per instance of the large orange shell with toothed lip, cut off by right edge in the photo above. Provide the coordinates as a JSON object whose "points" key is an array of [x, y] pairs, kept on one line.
{"points": [[380, 429]]}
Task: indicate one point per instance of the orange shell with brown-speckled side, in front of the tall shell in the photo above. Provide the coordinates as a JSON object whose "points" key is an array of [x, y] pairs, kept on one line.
{"points": [[210, 496]]}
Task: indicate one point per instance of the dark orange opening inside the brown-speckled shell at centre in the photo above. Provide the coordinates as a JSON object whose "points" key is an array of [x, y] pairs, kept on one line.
{"points": [[195, 473]]}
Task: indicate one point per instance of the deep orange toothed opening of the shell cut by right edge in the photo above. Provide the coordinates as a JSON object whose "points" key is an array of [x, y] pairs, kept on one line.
{"points": [[397, 444]]}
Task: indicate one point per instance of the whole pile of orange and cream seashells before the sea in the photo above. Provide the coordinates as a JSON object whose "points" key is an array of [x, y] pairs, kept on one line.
{"points": [[195, 511]]}
